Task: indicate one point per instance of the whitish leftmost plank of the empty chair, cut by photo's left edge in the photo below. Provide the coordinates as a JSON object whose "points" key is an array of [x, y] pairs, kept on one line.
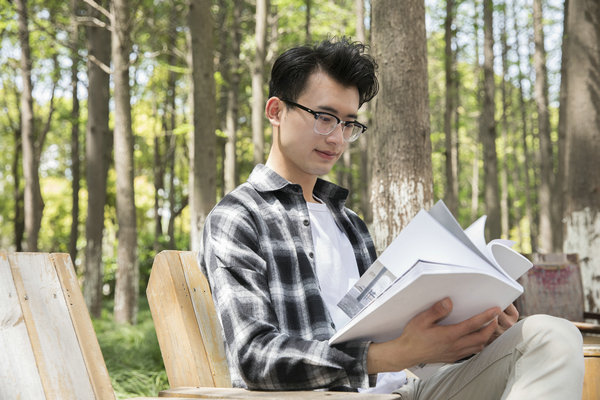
{"points": [[18, 371]]}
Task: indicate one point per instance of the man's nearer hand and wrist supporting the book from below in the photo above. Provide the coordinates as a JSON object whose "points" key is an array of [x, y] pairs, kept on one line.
{"points": [[424, 341]]}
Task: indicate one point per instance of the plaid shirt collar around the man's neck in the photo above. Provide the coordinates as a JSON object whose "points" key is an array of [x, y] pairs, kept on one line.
{"points": [[264, 179]]}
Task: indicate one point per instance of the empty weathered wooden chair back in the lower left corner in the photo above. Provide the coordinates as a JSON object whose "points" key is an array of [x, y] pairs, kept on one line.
{"points": [[48, 347]]}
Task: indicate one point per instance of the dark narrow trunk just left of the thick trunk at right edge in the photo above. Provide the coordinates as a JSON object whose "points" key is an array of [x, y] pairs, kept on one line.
{"points": [[560, 183]]}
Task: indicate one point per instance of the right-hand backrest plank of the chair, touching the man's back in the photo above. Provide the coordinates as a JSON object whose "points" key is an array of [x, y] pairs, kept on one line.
{"points": [[206, 317]]}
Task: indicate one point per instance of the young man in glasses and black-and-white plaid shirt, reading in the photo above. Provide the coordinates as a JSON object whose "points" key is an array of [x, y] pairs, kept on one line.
{"points": [[281, 249]]}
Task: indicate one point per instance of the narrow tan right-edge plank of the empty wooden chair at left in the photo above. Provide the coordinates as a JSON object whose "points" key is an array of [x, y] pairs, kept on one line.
{"points": [[84, 330]]}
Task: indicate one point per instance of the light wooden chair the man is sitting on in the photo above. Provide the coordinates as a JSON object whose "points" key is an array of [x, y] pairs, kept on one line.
{"points": [[190, 340]]}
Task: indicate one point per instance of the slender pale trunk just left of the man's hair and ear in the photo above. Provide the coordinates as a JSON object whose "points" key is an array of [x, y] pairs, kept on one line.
{"points": [[258, 72]]}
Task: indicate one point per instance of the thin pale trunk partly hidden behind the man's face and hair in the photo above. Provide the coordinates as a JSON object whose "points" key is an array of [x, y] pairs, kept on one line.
{"points": [[363, 140]]}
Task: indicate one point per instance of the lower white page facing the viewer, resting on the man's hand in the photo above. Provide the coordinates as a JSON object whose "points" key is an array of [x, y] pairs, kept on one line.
{"points": [[471, 291]]}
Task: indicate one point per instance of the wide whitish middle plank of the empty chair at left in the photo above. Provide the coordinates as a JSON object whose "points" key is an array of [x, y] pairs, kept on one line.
{"points": [[55, 346]]}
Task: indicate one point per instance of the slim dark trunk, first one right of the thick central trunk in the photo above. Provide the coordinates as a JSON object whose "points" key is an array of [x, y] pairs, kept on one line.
{"points": [[451, 133]]}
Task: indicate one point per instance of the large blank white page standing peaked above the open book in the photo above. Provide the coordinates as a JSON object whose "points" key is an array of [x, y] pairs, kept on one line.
{"points": [[425, 239]]}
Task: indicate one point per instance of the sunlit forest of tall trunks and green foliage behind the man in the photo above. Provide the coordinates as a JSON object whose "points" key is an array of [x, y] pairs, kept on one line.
{"points": [[123, 123]]}
